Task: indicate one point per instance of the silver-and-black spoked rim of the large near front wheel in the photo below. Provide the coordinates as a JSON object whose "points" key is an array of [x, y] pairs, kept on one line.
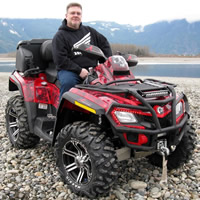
{"points": [[77, 162]]}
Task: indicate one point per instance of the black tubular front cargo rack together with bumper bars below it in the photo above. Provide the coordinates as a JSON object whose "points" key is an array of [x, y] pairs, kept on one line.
{"points": [[140, 92]]}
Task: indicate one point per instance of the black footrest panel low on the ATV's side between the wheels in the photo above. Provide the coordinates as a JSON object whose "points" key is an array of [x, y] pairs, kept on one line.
{"points": [[44, 127]]}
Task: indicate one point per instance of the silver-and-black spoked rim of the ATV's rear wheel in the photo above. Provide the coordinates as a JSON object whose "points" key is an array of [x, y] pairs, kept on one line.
{"points": [[13, 124]]}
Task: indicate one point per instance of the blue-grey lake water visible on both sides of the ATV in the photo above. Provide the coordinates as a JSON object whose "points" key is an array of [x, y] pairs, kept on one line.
{"points": [[169, 70]]}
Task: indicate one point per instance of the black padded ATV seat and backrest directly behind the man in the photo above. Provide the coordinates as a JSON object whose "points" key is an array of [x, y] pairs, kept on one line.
{"points": [[46, 52]]}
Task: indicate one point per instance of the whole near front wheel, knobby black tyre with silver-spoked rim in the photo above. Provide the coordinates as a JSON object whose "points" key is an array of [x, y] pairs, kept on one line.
{"points": [[86, 159]]}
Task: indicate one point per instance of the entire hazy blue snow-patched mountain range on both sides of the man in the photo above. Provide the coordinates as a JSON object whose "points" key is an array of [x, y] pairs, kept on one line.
{"points": [[175, 37]]}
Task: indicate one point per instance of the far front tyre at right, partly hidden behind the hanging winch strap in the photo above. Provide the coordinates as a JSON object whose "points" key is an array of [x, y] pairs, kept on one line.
{"points": [[182, 153]]}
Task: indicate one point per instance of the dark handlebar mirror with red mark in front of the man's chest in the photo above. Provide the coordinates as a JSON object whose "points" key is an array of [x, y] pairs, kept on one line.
{"points": [[90, 51]]}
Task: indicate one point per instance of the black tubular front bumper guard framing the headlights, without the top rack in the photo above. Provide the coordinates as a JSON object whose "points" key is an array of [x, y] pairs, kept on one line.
{"points": [[149, 130]]}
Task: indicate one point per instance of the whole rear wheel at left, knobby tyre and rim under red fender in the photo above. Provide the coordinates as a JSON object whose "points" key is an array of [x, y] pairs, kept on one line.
{"points": [[17, 124]]}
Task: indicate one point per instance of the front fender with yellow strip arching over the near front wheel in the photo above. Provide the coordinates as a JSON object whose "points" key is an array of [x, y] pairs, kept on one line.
{"points": [[75, 101]]}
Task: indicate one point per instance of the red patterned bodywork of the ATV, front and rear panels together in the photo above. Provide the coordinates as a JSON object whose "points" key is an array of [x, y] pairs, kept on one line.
{"points": [[114, 72]]}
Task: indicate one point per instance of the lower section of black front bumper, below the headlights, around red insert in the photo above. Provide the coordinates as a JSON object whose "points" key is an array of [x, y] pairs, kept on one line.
{"points": [[146, 140]]}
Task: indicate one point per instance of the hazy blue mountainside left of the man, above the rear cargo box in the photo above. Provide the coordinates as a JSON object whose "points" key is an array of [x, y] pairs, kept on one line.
{"points": [[14, 30]]}
